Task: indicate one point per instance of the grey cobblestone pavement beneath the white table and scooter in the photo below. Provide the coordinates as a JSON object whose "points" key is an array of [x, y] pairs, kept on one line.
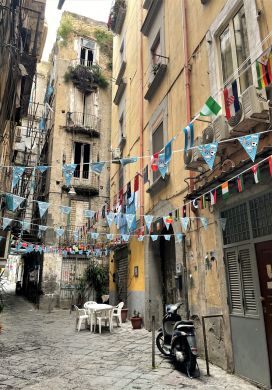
{"points": [[40, 350]]}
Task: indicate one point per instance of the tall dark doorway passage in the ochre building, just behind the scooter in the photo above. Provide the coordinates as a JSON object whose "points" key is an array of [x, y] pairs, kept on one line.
{"points": [[168, 266]]}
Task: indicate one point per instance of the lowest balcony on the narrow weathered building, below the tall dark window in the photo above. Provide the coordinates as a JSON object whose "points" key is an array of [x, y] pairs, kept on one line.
{"points": [[85, 182]]}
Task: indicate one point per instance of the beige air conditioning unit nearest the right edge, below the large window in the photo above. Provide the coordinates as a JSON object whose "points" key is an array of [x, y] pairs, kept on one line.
{"points": [[253, 106]]}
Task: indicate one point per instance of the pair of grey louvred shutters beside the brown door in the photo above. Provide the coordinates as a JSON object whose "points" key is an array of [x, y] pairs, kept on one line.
{"points": [[242, 295]]}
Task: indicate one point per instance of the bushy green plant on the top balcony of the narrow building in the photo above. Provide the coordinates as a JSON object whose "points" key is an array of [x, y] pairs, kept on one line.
{"points": [[86, 79]]}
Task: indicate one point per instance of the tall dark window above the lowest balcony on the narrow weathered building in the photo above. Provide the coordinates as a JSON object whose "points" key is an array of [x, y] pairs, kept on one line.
{"points": [[82, 157]]}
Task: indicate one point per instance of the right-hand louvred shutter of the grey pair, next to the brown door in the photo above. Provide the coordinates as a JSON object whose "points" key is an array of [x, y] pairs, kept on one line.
{"points": [[249, 296]]}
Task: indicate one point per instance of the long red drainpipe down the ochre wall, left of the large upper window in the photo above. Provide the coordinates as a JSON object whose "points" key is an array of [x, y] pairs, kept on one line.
{"points": [[188, 118]]}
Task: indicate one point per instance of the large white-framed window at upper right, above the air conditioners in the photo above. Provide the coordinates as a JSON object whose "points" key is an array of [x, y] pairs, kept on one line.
{"points": [[234, 50]]}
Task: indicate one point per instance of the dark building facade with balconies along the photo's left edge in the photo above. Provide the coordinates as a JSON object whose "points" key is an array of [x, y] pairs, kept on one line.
{"points": [[22, 34]]}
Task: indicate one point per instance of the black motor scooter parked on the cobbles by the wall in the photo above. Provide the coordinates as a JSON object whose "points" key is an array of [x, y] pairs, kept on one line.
{"points": [[176, 339]]}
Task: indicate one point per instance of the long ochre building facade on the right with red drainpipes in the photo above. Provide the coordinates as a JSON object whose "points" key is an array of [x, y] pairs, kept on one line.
{"points": [[168, 59]]}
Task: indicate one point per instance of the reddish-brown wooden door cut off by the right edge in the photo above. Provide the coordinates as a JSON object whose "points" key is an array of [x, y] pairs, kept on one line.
{"points": [[264, 260]]}
